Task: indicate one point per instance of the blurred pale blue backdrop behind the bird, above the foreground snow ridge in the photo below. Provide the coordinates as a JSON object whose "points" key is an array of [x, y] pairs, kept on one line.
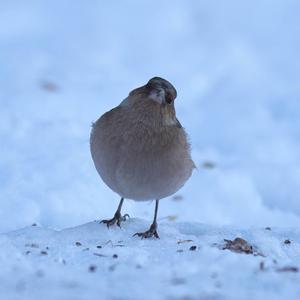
{"points": [[236, 68]]}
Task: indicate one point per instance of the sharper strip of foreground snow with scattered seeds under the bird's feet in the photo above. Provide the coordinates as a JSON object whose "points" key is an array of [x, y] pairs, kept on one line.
{"points": [[74, 266]]}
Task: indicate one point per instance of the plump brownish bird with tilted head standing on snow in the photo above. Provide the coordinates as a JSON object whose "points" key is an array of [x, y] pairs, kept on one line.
{"points": [[140, 149]]}
